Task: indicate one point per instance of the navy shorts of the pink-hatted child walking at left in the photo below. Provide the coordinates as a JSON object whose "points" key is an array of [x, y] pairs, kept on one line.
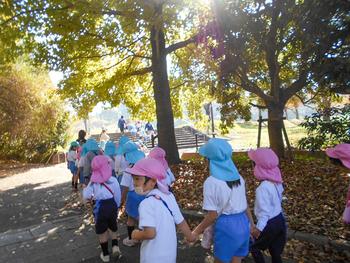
{"points": [[105, 214]]}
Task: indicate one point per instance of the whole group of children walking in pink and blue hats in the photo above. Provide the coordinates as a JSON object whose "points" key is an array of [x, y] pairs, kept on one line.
{"points": [[122, 177]]}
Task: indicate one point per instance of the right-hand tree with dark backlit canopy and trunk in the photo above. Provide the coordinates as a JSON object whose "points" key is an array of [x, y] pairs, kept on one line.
{"points": [[276, 49]]}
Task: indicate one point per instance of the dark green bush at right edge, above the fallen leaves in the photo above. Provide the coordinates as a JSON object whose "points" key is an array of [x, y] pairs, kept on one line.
{"points": [[326, 128]]}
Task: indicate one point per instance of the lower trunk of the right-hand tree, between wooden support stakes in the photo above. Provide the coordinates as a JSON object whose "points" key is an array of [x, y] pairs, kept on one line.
{"points": [[275, 124]]}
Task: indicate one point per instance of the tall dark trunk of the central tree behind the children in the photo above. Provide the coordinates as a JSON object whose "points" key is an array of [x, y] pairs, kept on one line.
{"points": [[165, 118]]}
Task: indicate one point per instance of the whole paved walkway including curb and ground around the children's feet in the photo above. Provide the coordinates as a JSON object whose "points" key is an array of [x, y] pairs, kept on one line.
{"points": [[41, 223]]}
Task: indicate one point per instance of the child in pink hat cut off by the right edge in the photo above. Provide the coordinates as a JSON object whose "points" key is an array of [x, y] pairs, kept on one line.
{"points": [[340, 154]]}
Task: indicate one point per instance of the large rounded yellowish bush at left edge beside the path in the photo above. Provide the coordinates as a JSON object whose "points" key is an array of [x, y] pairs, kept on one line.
{"points": [[33, 122]]}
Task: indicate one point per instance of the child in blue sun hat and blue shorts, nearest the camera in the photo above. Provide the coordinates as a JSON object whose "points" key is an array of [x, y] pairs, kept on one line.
{"points": [[226, 203]]}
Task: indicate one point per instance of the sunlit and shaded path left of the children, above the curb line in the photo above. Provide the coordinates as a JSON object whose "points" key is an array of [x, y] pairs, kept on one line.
{"points": [[32, 195]]}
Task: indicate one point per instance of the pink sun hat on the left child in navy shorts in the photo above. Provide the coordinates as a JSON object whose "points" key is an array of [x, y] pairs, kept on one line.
{"points": [[101, 169]]}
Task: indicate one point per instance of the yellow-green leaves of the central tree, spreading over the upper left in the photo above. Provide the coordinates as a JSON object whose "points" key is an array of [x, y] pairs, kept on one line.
{"points": [[102, 47]]}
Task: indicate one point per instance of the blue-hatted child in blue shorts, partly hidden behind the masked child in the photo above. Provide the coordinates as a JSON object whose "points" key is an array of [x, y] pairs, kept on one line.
{"points": [[132, 155]]}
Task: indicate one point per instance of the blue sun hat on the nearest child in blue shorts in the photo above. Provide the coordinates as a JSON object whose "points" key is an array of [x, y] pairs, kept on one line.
{"points": [[219, 153]]}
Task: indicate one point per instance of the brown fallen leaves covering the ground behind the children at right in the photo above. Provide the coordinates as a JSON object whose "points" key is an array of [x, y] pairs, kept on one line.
{"points": [[315, 193]]}
